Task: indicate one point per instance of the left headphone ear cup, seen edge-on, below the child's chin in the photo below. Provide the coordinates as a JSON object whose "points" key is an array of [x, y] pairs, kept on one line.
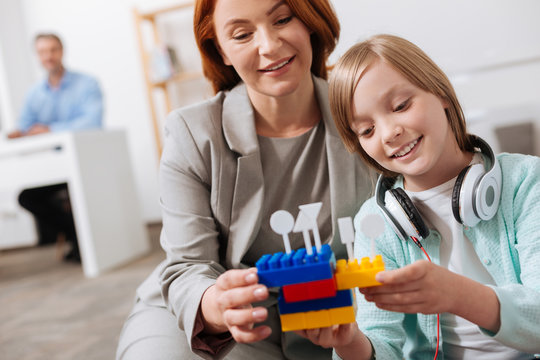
{"points": [[406, 213]]}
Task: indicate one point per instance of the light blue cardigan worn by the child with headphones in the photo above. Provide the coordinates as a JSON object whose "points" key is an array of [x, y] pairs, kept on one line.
{"points": [[509, 247]]}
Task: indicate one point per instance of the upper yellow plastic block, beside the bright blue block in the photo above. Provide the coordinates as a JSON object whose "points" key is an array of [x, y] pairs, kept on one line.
{"points": [[350, 274]]}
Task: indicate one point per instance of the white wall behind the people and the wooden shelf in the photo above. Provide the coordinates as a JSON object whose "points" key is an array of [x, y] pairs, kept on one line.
{"points": [[466, 38]]}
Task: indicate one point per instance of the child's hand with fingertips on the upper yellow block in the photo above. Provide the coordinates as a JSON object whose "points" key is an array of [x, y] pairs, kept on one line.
{"points": [[421, 287]]}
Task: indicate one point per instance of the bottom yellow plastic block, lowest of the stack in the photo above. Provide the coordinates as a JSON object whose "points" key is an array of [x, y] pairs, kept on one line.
{"points": [[317, 319]]}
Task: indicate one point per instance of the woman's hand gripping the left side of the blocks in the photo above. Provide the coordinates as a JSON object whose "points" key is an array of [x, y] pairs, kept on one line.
{"points": [[226, 306]]}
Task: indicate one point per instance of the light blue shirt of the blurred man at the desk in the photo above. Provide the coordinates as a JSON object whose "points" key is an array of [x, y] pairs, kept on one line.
{"points": [[76, 104]]}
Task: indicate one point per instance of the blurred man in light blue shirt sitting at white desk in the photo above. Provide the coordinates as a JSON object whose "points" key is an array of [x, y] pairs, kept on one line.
{"points": [[63, 101]]}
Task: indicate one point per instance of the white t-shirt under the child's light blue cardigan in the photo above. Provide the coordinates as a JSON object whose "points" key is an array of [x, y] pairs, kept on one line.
{"points": [[461, 338]]}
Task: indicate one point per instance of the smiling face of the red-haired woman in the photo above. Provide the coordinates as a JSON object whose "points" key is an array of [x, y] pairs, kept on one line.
{"points": [[268, 46]]}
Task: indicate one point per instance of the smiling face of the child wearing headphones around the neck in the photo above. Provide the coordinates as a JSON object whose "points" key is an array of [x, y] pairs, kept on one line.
{"points": [[404, 128]]}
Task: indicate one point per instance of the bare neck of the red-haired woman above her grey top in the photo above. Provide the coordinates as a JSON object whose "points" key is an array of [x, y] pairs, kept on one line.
{"points": [[287, 116]]}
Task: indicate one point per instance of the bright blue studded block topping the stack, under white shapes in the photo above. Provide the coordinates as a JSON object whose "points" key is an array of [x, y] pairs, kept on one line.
{"points": [[296, 267]]}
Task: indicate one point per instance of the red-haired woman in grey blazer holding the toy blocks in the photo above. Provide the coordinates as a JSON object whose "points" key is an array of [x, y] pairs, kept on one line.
{"points": [[265, 142]]}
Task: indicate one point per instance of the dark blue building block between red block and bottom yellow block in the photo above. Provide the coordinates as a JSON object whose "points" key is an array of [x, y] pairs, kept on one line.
{"points": [[342, 298]]}
